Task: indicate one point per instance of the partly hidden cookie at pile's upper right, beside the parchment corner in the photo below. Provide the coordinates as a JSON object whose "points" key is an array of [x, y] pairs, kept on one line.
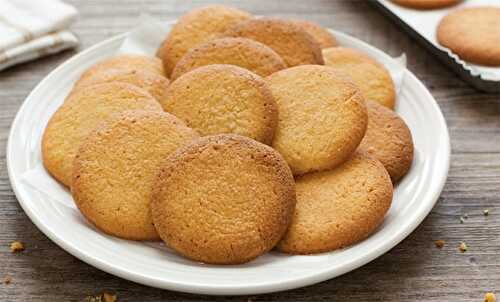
{"points": [[370, 76]]}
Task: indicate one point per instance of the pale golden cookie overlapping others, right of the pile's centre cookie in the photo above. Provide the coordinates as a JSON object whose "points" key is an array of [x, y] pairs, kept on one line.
{"points": [[322, 117]]}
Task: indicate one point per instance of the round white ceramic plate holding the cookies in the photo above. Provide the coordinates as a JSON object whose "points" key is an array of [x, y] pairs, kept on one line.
{"points": [[154, 265]]}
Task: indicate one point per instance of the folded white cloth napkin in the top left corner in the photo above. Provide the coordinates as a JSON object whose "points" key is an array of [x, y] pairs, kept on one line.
{"points": [[30, 29]]}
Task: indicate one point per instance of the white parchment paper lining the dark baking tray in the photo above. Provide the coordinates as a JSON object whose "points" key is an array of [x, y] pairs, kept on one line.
{"points": [[425, 23]]}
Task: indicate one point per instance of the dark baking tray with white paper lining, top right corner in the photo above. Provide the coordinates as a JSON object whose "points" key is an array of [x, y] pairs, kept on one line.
{"points": [[422, 25]]}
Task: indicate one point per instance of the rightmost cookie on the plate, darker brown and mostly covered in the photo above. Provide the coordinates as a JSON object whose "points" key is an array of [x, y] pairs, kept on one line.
{"points": [[388, 139]]}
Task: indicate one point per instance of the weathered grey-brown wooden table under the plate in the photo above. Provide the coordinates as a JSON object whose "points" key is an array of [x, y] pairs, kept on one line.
{"points": [[415, 270]]}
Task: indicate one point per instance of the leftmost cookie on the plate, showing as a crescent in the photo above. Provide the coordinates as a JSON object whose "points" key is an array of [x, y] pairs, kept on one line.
{"points": [[79, 115]]}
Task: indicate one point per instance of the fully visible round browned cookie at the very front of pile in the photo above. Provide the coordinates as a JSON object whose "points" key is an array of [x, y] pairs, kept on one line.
{"points": [[236, 202]]}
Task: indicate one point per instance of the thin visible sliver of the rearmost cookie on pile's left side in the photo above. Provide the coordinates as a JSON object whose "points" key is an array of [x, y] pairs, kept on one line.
{"points": [[128, 62]]}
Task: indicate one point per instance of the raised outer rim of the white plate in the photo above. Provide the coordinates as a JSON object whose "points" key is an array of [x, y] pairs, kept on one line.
{"points": [[227, 289]]}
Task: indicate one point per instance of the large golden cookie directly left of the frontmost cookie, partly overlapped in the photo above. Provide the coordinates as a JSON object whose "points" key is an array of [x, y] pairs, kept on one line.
{"points": [[116, 167]]}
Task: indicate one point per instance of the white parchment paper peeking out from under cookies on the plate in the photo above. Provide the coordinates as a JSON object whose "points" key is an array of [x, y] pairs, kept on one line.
{"points": [[145, 39]]}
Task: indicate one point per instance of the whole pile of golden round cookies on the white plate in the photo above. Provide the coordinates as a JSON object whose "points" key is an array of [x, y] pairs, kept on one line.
{"points": [[244, 135]]}
